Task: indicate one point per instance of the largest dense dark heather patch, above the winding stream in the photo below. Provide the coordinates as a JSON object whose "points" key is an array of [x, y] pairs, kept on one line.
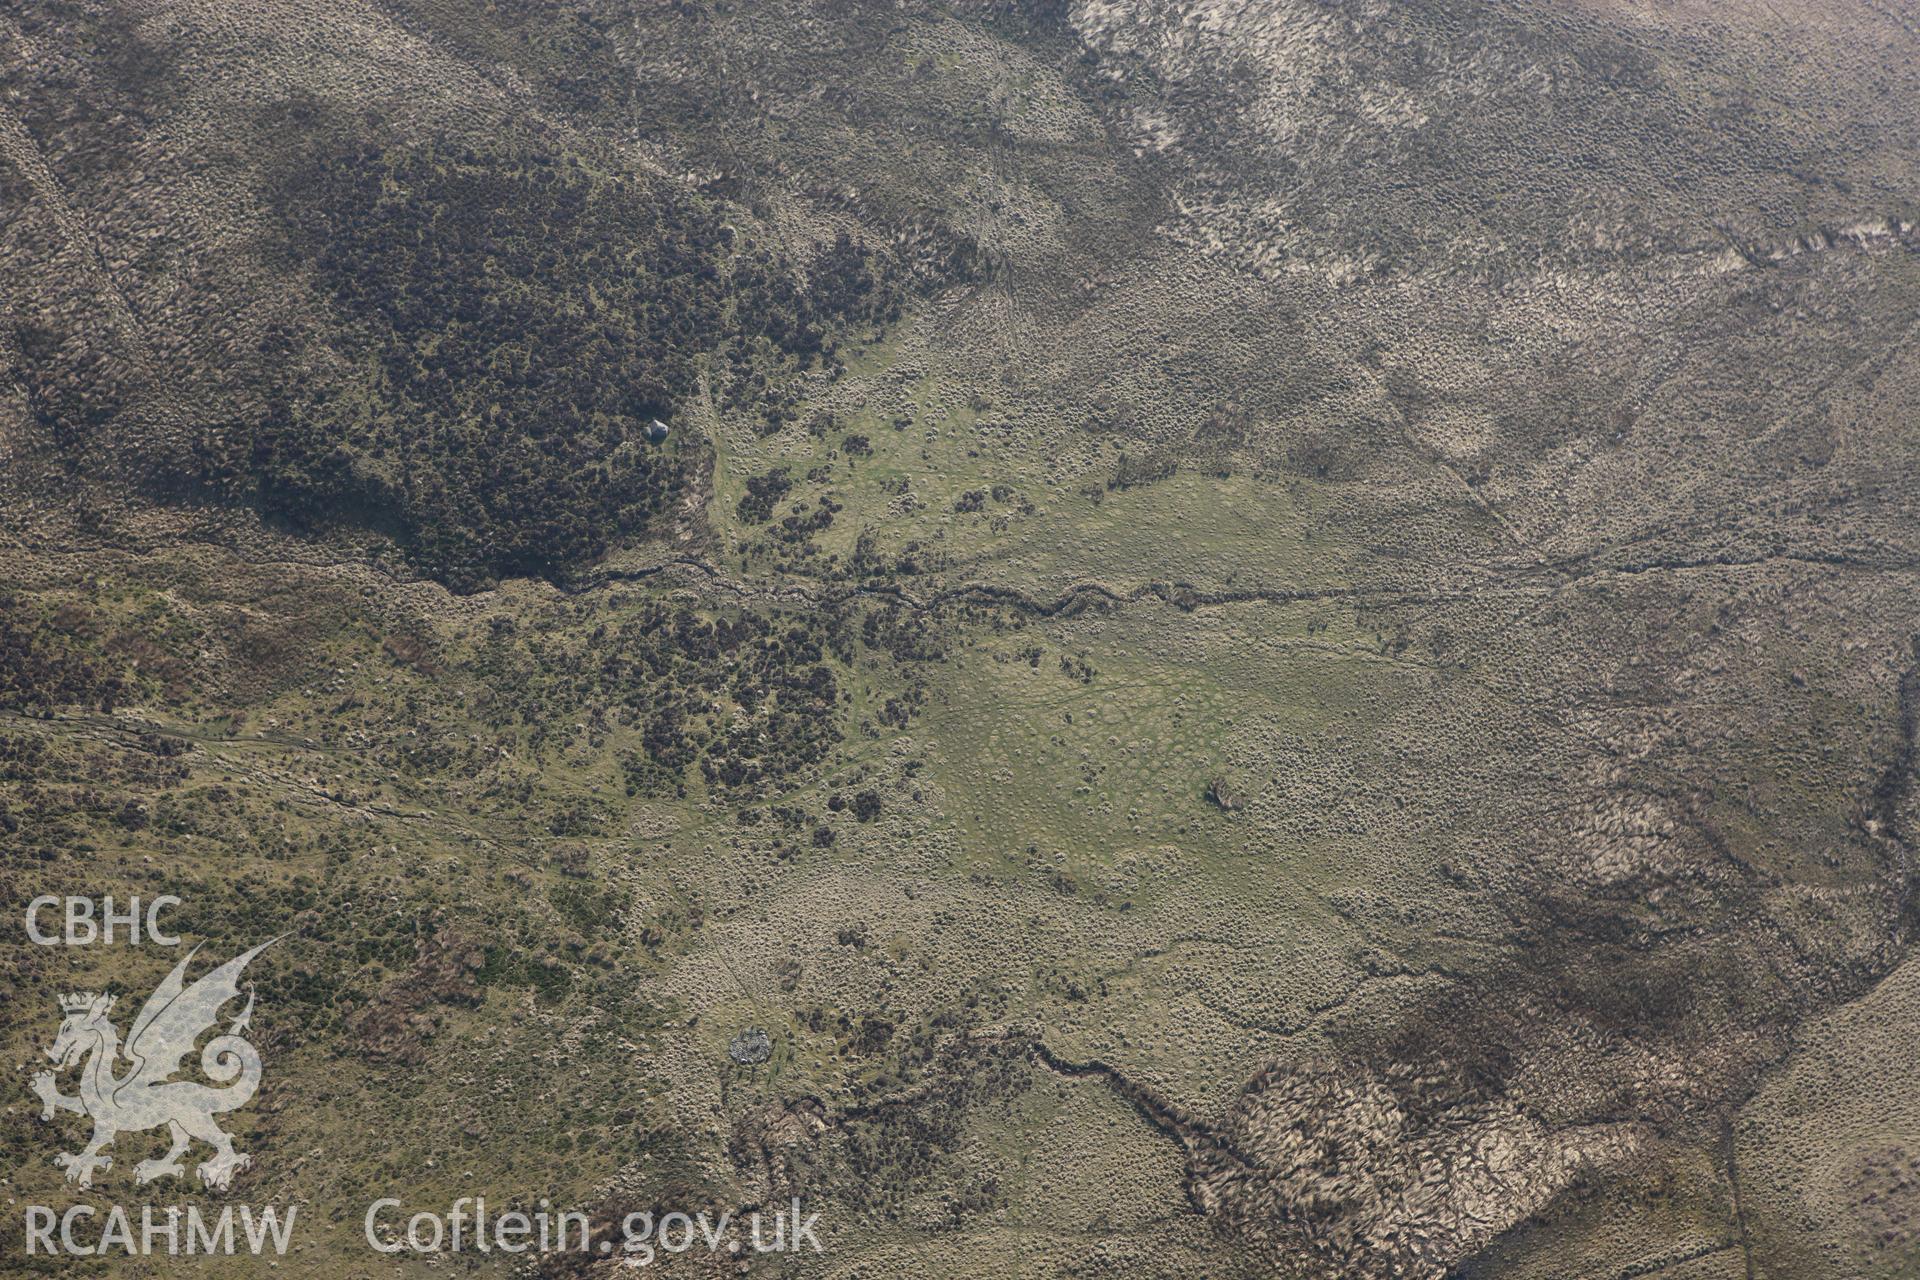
{"points": [[512, 321]]}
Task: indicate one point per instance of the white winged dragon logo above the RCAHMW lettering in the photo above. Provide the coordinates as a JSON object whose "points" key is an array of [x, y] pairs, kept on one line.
{"points": [[164, 1033]]}
